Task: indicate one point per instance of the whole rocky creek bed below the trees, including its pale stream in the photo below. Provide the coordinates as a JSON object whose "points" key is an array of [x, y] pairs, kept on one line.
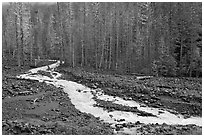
{"points": [[32, 107]]}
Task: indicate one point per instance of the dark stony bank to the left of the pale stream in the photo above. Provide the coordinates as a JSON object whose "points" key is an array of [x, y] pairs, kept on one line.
{"points": [[32, 107]]}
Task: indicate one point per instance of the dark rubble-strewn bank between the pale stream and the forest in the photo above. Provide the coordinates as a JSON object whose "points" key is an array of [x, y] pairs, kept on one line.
{"points": [[184, 95]]}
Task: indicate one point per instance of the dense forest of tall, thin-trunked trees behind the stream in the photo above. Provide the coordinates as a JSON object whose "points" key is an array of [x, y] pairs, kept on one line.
{"points": [[150, 38]]}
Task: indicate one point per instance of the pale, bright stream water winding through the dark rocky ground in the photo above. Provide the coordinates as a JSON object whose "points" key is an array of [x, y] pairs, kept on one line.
{"points": [[84, 102]]}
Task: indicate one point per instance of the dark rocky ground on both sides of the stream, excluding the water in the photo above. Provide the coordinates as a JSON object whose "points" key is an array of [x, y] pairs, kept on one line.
{"points": [[31, 107]]}
